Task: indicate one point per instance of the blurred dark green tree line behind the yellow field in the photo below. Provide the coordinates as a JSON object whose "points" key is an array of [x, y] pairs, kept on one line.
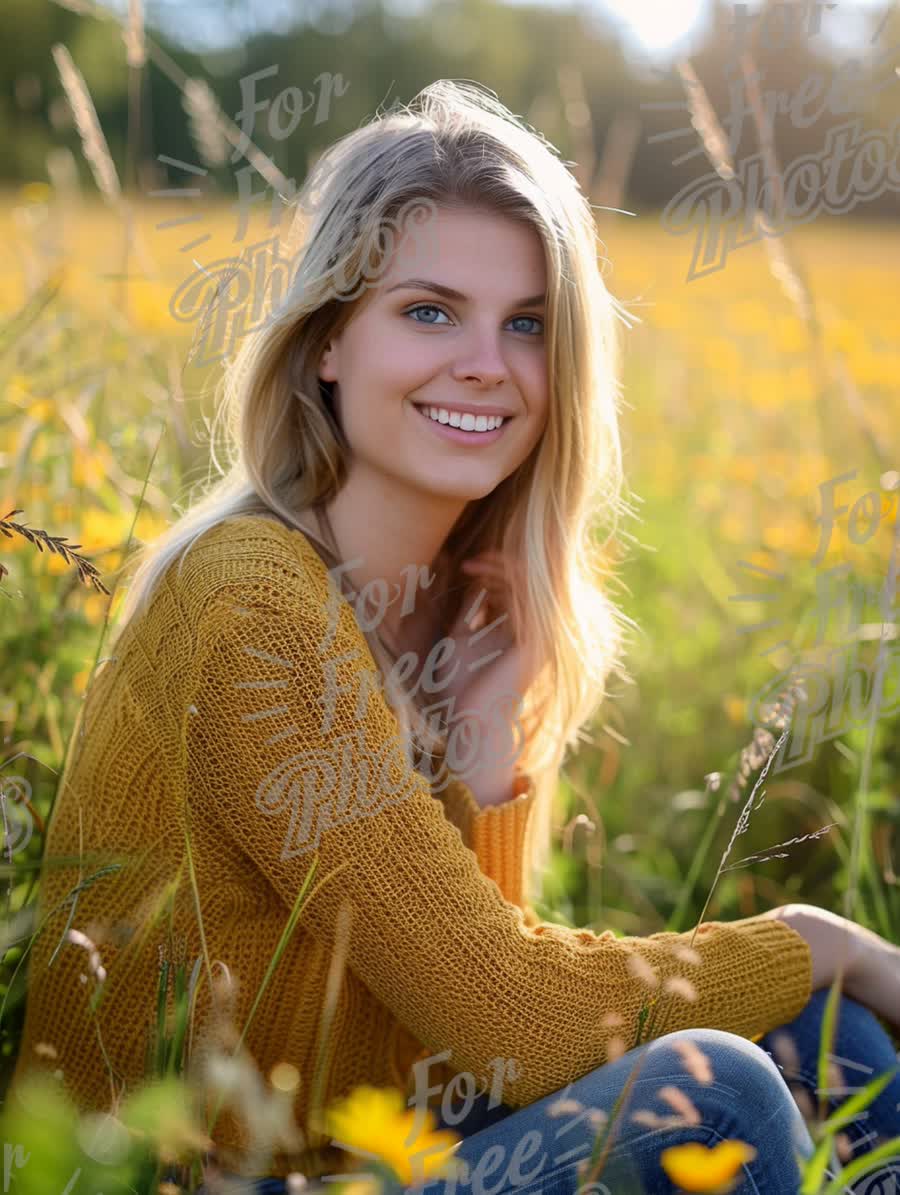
{"points": [[565, 70]]}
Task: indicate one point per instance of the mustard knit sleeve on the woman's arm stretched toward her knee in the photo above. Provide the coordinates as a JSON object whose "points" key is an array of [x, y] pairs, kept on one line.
{"points": [[296, 752]]}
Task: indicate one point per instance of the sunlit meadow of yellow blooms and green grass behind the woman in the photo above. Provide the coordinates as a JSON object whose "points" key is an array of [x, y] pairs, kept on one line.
{"points": [[746, 393]]}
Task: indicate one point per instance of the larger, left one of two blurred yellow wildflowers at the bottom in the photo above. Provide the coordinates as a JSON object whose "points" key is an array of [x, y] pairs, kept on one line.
{"points": [[376, 1123]]}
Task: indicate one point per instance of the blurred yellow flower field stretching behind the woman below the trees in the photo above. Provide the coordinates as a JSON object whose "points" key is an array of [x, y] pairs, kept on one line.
{"points": [[738, 407]]}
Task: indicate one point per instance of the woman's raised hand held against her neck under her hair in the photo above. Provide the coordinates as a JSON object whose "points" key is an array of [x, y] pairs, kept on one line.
{"points": [[494, 672]]}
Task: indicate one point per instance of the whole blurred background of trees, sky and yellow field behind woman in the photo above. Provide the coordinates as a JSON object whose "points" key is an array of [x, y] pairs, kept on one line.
{"points": [[748, 388]]}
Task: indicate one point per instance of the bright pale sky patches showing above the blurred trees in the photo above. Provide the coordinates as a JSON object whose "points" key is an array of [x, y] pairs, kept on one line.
{"points": [[653, 30]]}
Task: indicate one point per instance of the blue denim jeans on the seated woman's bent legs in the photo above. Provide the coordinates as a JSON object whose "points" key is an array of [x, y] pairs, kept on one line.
{"points": [[531, 1153]]}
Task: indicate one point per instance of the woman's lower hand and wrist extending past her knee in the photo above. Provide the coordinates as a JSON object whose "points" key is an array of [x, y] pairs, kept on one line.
{"points": [[872, 966]]}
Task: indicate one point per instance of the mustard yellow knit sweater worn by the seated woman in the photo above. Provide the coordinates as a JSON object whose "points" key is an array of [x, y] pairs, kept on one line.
{"points": [[240, 709]]}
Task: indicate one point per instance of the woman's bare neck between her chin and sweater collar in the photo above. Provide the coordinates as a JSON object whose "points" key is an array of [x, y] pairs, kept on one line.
{"points": [[387, 534]]}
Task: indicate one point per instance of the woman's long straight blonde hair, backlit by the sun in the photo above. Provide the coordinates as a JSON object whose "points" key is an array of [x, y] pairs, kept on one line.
{"points": [[456, 145]]}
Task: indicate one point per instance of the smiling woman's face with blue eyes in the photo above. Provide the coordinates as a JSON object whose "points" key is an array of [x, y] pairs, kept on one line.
{"points": [[408, 350]]}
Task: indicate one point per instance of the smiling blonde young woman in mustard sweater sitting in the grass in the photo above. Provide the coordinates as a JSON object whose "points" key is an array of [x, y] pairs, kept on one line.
{"points": [[351, 675]]}
